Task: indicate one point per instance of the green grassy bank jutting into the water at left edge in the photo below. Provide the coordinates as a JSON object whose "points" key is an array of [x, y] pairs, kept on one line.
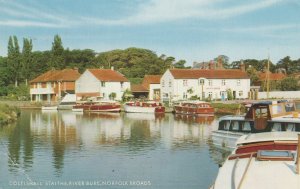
{"points": [[8, 114]]}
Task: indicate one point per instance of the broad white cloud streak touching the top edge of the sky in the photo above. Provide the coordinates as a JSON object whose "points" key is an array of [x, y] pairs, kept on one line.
{"points": [[157, 11]]}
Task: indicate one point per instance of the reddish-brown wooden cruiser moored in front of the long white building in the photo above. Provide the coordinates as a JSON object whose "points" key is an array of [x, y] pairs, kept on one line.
{"points": [[194, 108]]}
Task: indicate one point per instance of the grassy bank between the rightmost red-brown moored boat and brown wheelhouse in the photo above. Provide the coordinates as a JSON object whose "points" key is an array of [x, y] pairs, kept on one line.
{"points": [[221, 108]]}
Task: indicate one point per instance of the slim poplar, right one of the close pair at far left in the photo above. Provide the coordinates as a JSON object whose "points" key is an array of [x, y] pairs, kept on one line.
{"points": [[26, 61]]}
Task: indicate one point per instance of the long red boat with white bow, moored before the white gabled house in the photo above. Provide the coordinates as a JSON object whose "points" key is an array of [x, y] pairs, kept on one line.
{"points": [[97, 106]]}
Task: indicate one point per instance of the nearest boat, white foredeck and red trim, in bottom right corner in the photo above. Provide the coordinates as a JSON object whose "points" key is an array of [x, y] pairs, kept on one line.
{"points": [[262, 160]]}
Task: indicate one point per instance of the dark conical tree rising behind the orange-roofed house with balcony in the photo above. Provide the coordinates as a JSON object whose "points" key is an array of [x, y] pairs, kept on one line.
{"points": [[57, 59]]}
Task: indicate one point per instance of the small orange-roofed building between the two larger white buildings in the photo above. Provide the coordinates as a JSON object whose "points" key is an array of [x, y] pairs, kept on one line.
{"points": [[150, 88]]}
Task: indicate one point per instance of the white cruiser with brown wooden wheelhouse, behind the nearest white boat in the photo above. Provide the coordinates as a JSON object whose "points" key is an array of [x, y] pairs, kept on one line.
{"points": [[261, 117]]}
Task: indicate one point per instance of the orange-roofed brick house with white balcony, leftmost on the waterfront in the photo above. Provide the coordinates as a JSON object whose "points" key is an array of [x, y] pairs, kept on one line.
{"points": [[53, 85]]}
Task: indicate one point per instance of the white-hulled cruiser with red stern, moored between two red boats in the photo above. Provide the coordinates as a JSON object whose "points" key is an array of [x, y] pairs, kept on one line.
{"points": [[144, 107]]}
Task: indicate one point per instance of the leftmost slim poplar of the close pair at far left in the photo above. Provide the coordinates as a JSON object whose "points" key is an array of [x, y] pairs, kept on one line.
{"points": [[13, 59]]}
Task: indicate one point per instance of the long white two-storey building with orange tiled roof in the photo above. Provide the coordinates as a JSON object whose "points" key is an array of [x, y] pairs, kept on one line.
{"points": [[180, 84]]}
